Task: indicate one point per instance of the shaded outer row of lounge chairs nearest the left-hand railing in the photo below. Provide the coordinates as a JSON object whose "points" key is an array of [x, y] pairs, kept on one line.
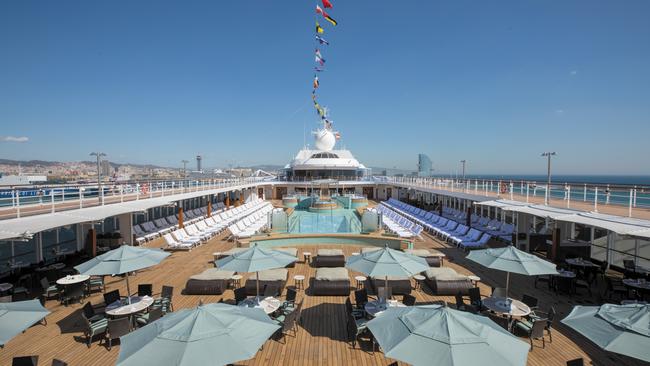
{"points": [[153, 229]]}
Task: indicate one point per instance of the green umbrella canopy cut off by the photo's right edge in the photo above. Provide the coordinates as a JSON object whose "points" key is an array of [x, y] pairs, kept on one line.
{"points": [[623, 329]]}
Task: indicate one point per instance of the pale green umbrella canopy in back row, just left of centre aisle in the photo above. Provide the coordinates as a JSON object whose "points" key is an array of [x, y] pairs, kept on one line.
{"points": [[255, 259]]}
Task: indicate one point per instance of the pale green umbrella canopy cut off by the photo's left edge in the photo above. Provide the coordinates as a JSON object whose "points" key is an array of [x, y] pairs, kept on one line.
{"points": [[15, 317]]}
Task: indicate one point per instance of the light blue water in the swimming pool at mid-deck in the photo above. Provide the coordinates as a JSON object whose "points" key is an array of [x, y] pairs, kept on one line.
{"points": [[333, 221]]}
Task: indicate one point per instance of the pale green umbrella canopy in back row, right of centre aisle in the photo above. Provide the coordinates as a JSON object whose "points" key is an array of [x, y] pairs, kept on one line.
{"points": [[387, 262]]}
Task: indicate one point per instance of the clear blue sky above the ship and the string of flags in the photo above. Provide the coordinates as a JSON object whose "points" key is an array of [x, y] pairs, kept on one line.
{"points": [[495, 83]]}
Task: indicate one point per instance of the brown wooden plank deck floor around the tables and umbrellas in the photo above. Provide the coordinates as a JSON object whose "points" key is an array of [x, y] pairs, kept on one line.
{"points": [[320, 340]]}
